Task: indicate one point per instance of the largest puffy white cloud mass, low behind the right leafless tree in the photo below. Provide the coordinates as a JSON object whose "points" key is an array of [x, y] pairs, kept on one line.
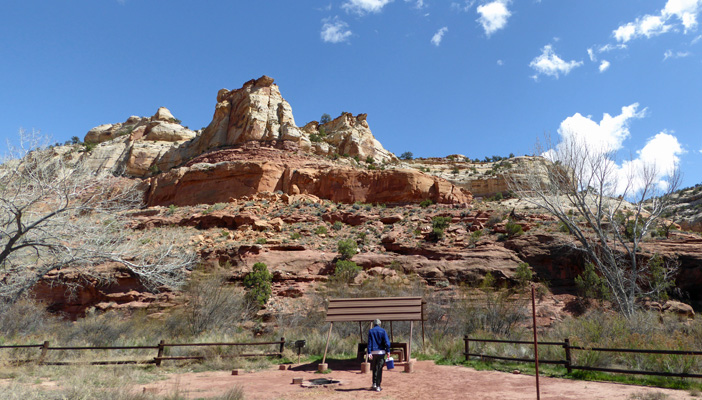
{"points": [[660, 151]]}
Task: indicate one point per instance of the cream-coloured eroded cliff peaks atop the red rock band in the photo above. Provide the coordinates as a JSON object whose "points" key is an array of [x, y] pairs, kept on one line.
{"points": [[257, 112]]}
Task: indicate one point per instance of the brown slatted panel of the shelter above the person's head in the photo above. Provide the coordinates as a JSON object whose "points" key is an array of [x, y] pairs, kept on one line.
{"points": [[383, 308]]}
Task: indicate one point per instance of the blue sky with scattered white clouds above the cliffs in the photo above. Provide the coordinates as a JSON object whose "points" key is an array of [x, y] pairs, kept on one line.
{"points": [[478, 78]]}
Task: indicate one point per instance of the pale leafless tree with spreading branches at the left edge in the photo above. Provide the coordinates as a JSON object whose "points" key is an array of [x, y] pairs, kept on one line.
{"points": [[54, 213]]}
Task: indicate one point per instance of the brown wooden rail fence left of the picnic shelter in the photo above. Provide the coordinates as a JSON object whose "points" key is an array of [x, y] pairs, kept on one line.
{"points": [[160, 348]]}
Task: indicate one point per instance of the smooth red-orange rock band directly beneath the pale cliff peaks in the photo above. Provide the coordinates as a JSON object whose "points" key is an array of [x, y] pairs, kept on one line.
{"points": [[232, 174]]}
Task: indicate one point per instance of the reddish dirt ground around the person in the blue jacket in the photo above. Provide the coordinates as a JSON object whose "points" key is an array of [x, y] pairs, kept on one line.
{"points": [[429, 381]]}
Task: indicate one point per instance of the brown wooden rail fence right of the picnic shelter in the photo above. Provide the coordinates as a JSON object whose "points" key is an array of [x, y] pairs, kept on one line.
{"points": [[567, 362]]}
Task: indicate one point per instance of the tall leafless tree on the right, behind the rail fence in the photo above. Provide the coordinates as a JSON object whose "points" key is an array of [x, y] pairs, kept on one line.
{"points": [[602, 206]]}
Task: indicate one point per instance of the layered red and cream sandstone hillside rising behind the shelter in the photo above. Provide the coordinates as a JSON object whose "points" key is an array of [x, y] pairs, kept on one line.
{"points": [[254, 187]]}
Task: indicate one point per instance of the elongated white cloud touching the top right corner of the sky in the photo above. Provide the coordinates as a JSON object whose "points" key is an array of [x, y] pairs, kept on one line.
{"points": [[685, 11]]}
